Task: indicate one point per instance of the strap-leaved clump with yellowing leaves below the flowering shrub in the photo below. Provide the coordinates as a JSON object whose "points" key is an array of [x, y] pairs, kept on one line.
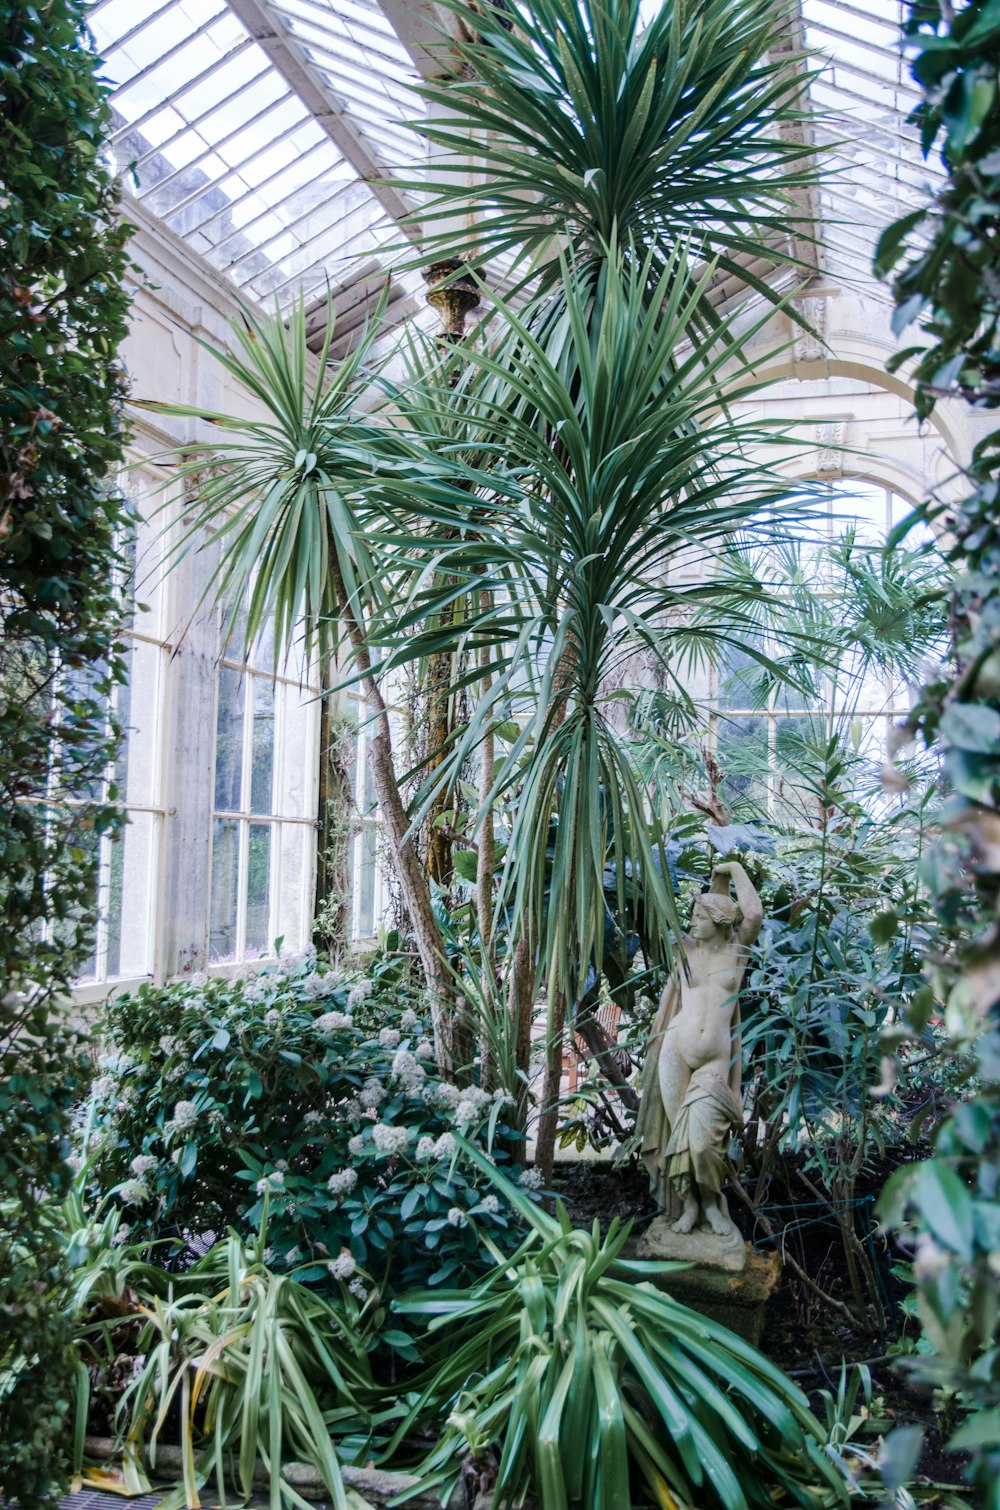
{"points": [[245, 1369]]}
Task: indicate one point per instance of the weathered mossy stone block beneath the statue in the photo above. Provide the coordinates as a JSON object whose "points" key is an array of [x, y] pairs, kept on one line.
{"points": [[721, 1292]]}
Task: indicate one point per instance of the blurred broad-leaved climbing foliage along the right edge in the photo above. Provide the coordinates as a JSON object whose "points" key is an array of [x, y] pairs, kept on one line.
{"points": [[946, 262]]}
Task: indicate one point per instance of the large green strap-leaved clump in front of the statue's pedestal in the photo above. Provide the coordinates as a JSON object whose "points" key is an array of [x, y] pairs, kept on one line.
{"points": [[596, 1390]]}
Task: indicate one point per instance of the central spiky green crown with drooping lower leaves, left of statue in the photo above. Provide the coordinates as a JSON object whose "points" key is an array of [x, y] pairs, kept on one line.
{"points": [[606, 529]]}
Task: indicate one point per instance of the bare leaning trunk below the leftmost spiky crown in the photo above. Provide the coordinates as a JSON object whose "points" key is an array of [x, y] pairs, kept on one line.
{"points": [[412, 878]]}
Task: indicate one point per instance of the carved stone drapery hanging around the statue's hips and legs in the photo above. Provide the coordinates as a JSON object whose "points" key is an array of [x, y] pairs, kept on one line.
{"points": [[694, 1147]]}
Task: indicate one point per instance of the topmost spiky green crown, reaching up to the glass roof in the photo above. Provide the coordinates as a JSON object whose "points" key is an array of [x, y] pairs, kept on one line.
{"points": [[572, 123]]}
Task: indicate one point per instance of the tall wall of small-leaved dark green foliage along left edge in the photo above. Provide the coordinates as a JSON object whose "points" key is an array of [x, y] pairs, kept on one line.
{"points": [[63, 315]]}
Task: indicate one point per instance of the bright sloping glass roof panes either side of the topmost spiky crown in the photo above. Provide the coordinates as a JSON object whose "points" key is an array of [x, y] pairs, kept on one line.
{"points": [[268, 134]]}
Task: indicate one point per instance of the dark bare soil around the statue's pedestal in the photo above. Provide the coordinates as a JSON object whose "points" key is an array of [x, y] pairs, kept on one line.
{"points": [[803, 1336]]}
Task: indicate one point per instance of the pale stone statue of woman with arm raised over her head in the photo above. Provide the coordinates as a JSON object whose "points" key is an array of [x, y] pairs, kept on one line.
{"points": [[691, 1079]]}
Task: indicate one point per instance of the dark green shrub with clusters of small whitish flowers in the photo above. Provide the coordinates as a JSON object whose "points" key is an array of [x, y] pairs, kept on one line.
{"points": [[218, 1096]]}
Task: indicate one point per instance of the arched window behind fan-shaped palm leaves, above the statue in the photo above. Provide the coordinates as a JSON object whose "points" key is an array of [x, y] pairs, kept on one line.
{"points": [[860, 606]]}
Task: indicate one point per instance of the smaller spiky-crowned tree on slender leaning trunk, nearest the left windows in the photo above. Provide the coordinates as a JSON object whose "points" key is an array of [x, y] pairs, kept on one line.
{"points": [[289, 496]]}
